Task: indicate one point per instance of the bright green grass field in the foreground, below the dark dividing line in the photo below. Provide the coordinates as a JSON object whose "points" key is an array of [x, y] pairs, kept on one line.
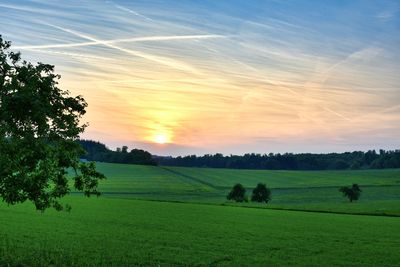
{"points": [[118, 232]]}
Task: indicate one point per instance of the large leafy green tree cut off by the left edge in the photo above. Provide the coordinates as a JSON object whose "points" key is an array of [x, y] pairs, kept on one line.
{"points": [[39, 124]]}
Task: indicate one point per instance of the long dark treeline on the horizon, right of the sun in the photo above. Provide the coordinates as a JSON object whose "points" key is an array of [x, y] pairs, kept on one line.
{"points": [[288, 161]]}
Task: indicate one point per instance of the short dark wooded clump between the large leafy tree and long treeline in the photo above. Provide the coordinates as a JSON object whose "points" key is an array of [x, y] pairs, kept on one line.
{"points": [[96, 151]]}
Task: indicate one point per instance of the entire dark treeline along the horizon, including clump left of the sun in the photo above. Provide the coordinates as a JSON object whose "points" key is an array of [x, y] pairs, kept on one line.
{"points": [[371, 159]]}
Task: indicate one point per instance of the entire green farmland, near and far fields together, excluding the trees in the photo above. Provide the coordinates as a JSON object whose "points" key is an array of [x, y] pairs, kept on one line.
{"points": [[159, 216]]}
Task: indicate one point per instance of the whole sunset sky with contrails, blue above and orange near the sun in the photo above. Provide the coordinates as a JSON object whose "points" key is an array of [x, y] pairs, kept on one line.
{"points": [[196, 77]]}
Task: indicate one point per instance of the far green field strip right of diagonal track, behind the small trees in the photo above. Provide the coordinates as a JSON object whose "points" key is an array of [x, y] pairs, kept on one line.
{"points": [[283, 179]]}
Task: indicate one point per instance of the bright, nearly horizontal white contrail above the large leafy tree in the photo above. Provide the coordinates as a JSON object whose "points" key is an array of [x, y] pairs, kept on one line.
{"points": [[125, 40]]}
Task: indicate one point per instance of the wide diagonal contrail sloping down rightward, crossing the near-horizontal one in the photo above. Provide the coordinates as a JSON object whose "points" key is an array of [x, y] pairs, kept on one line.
{"points": [[161, 60]]}
